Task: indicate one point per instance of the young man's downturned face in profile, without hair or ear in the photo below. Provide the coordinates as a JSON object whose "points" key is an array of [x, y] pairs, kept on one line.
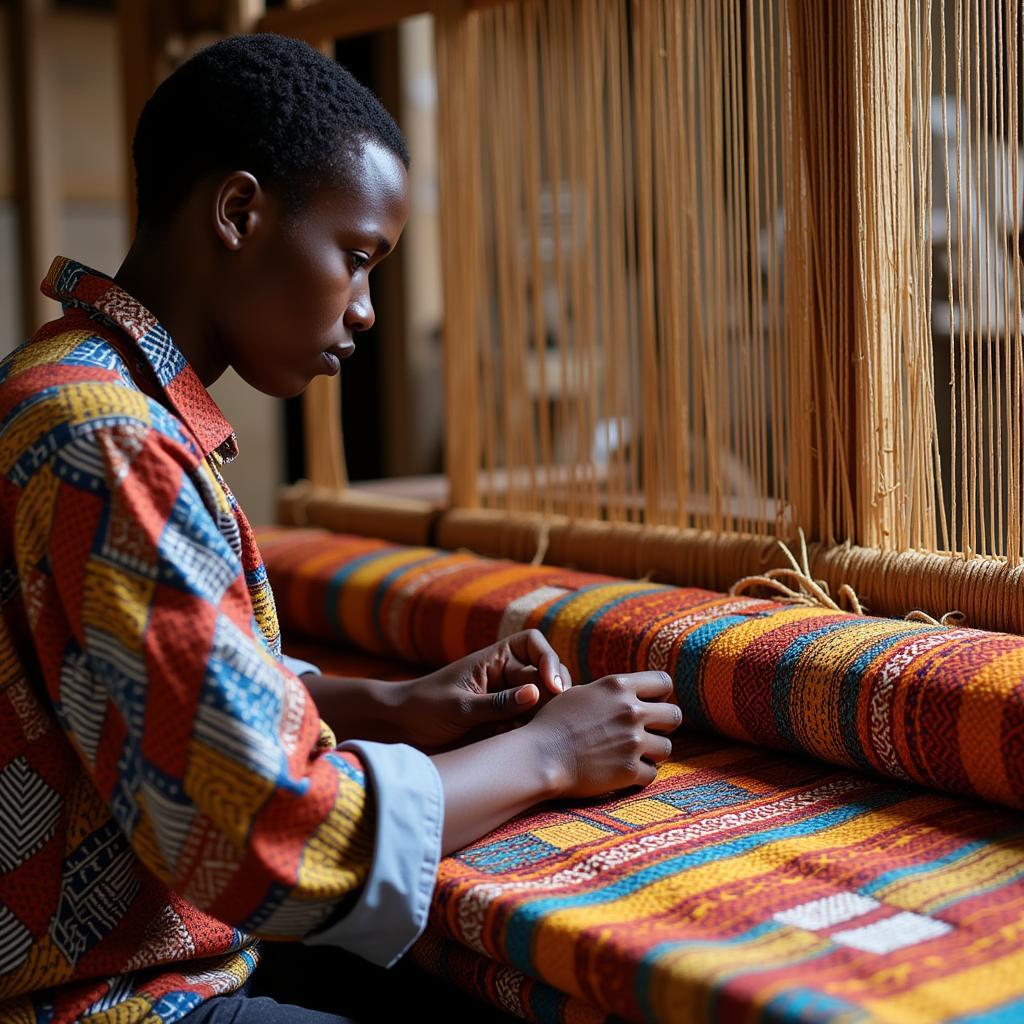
{"points": [[298, 293]]}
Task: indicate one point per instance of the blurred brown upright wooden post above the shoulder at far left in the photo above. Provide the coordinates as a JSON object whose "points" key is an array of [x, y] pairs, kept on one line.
{"points": [[37, 175]]}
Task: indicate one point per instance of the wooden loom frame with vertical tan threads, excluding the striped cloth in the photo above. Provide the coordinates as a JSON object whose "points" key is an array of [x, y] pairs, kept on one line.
{"points": [[616, 261]]}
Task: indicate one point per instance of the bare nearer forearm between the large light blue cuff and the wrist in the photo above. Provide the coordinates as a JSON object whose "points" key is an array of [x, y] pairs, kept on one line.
{"points": [[488, 783]]}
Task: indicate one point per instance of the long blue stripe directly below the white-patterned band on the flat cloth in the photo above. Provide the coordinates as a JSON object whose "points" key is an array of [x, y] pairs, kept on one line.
{"points": [[522, 924]]}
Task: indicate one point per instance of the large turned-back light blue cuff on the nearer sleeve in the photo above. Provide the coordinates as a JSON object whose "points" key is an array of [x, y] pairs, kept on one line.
{"points": [[393, 909]]}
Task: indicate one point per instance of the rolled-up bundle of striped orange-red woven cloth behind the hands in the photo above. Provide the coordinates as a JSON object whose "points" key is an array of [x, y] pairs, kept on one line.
{"points": [[941, 707]]}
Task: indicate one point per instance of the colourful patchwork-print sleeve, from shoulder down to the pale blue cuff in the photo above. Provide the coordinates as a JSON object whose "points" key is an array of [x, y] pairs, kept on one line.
{"points": [[206, 749]]}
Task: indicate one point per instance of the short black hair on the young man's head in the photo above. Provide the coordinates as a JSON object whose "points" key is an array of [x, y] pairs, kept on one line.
{"points": [[264, 104]]}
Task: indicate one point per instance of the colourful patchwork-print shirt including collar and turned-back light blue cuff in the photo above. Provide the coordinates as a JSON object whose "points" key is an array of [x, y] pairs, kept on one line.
{"points": [[167, 790]]}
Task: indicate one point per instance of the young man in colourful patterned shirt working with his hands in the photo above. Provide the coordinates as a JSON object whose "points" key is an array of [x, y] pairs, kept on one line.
{"points": [[170, 791]]}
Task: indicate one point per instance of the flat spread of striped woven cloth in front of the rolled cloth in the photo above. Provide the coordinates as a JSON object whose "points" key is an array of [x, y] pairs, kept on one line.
{"points": [[743, 885]]}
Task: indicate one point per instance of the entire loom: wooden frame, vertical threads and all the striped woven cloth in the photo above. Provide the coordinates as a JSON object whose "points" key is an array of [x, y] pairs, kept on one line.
{"points": [[703, 378]]}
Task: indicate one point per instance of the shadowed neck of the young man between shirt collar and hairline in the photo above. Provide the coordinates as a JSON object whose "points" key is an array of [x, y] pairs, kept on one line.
{"points": [[170, 286]]}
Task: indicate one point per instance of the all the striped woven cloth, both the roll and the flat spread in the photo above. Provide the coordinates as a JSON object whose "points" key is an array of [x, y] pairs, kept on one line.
{"points": [[750, 882]]}
